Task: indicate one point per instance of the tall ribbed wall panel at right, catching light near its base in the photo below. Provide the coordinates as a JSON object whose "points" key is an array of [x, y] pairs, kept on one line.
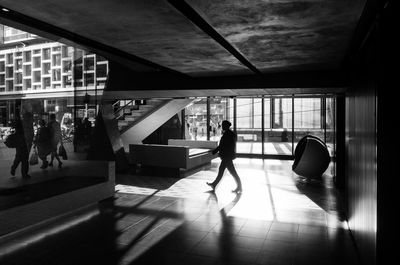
{"points": [[361, 154]]}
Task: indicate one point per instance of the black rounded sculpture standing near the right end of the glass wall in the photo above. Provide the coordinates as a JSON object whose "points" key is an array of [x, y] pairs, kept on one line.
{"points": [[311, 157]]}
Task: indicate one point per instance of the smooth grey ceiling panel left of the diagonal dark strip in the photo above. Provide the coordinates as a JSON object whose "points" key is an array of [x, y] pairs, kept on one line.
{"points": [[151, 29]]}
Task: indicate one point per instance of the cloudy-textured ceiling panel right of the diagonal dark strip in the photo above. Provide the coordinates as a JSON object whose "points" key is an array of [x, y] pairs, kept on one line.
{"points": [[285, 34]]}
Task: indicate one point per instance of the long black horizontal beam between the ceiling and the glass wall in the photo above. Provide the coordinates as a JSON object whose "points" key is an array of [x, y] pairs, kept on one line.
{"points": [[149, 81]]}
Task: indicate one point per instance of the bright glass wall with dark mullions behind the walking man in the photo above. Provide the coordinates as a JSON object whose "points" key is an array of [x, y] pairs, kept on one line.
{"points": [[269, 125]]}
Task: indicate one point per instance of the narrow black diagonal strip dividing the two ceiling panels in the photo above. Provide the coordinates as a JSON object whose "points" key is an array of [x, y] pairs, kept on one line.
{"points": [[200, 22]]}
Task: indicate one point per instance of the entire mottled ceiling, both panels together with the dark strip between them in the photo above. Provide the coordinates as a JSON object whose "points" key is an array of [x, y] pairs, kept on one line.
{"points": [[210, 37]]}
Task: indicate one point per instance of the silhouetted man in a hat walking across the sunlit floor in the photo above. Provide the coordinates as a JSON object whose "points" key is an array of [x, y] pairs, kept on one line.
{"points": [[227, 152]]}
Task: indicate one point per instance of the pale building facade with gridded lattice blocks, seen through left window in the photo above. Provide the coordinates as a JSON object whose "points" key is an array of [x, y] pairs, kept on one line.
{"points": [[44, 77]]}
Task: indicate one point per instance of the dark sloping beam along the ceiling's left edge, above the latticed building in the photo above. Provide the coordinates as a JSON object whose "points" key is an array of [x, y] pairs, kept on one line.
{"points": [[43, 29]]}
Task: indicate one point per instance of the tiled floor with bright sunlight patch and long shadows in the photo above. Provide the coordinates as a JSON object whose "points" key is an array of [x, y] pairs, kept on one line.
{"points": [[278, 219]]}
